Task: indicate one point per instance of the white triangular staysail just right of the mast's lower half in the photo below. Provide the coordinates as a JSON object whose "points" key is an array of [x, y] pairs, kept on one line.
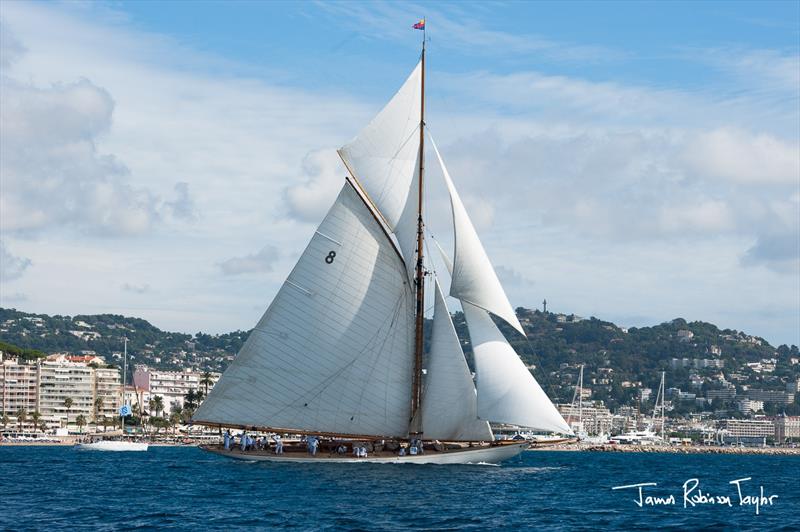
{"points": [[449, 405]]}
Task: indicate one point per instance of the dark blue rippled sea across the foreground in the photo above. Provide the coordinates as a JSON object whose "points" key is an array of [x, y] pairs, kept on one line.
{"points": [[184, 488]]}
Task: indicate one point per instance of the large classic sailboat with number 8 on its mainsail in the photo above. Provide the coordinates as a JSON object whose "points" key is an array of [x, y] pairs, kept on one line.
{"points": [[338, 354]]}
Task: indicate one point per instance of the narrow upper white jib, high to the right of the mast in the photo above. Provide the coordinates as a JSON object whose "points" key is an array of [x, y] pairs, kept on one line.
{"points": [[473, 277]]}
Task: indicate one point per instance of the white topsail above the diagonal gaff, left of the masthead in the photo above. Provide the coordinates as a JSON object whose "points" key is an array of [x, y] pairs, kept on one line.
{"points": [[383, 155]]}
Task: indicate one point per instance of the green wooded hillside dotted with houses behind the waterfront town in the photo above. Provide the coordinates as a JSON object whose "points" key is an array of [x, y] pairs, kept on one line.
{"points": [[618, 361]]}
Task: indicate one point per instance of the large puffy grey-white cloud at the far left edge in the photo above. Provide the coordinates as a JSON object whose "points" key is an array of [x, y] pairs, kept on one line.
{"points": [[53, 173]]}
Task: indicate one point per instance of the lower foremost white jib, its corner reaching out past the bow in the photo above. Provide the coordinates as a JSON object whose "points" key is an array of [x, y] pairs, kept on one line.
{"points": [[507, 392]]}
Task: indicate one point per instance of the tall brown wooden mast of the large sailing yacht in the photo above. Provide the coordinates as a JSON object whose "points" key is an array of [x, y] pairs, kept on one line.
{"points": [[419, 276]]}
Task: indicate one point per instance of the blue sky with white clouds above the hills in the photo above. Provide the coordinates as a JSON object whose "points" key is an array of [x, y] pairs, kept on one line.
{"points": [[632, 161]]}
